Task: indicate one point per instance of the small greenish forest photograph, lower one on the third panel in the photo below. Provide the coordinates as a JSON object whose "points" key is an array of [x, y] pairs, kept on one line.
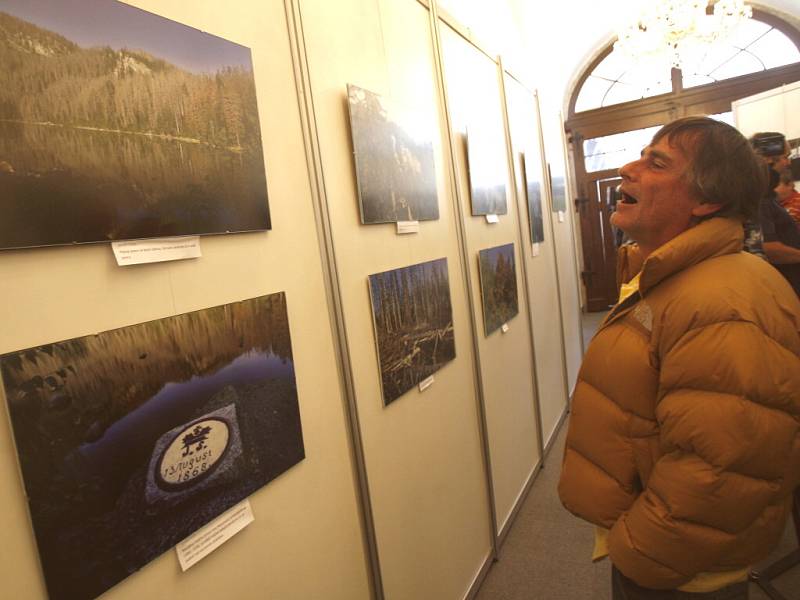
{"points": [[498, 286]]}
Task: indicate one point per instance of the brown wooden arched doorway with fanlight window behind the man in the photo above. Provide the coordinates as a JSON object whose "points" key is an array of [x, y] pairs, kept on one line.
{"points": [[611, 117]]}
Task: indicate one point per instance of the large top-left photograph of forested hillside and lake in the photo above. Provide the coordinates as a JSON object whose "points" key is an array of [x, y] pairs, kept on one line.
{"points": [[119, 124]]}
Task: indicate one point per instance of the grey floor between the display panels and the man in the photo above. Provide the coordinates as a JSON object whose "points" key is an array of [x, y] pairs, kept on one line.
{"points": [[546, 555]]}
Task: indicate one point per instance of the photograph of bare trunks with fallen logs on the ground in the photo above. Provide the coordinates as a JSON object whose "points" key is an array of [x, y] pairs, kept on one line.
{"points": [[413, 324]]}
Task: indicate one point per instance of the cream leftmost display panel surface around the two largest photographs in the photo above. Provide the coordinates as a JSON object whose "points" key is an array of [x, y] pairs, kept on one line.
{"points": [[305, 517]]}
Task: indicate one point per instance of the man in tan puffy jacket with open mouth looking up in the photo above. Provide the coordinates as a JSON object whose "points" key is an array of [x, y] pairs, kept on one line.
{"points": [[684, 437]]}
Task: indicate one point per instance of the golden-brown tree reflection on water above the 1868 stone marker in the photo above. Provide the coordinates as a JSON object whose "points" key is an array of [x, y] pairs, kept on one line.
{"points": [[71, 393]]}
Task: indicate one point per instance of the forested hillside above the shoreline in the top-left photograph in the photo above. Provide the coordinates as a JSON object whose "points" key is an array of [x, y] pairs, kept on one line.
{"points": [[46, 78]]}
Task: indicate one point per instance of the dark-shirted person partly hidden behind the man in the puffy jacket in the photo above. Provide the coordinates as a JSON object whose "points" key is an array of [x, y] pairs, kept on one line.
{"points": [[781, 235]]}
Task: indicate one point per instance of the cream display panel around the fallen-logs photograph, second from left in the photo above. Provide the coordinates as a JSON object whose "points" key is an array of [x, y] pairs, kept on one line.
{"points": [[422, 452]]}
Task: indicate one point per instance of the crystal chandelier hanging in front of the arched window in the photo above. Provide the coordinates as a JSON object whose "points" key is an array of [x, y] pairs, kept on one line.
{"points": [[679, 33]]}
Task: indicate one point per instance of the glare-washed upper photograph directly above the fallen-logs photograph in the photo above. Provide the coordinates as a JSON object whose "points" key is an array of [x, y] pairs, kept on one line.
{"points": [[394, 162]]}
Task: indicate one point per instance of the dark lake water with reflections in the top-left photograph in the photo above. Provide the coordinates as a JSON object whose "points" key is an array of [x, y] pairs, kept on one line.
{"points": [[60, 185]]}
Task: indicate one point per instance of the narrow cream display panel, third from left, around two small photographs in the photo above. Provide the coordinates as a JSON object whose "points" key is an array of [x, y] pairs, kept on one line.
{"points": [[474, 93]]}
